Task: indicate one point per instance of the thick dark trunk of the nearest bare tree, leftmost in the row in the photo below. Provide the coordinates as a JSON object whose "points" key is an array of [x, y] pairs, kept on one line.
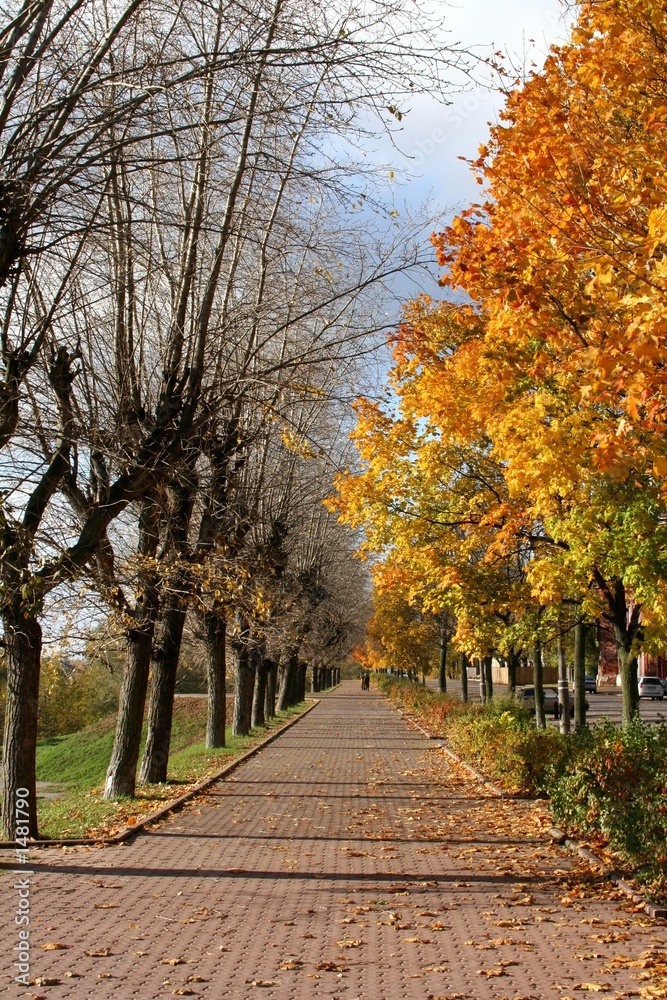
{"points": [[23, 648]]}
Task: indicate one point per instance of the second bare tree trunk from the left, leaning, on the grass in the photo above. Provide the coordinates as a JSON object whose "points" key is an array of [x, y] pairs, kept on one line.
{"points": [[122, 773]]}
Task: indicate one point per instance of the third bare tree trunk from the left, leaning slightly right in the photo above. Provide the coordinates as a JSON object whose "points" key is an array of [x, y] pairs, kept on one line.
{"points": [[166, 653]]}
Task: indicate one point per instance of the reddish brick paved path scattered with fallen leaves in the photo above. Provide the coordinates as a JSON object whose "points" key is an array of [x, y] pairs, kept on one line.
{"points": [[348, 860]]}
